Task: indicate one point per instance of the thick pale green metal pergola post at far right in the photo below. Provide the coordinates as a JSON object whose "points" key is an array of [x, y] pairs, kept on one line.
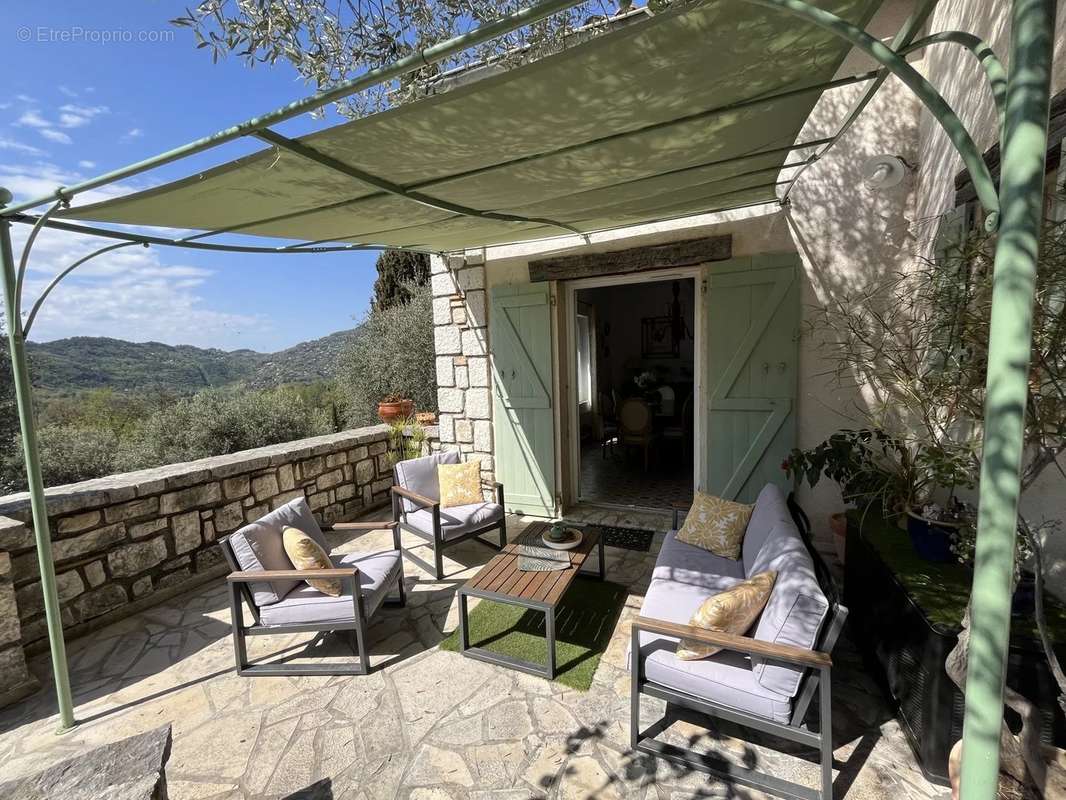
{"points": [[1022, 201]]}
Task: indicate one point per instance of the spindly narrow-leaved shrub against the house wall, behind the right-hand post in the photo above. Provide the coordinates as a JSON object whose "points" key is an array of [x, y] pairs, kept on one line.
{"points": [[917, 347]]}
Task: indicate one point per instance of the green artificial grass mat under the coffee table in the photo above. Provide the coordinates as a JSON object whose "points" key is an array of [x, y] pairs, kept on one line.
{"points": [[585, 622]]}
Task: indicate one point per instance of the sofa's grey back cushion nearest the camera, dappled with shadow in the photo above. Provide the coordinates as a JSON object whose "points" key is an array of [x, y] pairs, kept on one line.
{"points": [[797, 609]]}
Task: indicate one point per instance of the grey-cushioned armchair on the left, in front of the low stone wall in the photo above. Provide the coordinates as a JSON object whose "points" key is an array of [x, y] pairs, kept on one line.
{"points": [[282, 602]]}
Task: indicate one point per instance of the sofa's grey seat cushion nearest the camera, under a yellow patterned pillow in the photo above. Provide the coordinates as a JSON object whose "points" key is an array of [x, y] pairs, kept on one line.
{"points": [[726, 678]]}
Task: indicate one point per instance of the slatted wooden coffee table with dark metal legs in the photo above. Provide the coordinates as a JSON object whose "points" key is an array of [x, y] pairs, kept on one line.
{"points": [[503, 582]]}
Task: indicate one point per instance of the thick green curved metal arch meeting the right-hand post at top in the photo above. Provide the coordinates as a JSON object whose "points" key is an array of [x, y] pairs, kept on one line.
{"points": [[926, 92]]}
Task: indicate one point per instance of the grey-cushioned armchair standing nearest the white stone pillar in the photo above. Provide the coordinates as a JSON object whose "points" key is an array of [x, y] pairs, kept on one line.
{"points": [[416, 509]]}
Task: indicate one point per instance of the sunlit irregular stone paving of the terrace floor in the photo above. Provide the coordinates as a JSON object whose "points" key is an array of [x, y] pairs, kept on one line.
{"points": [[428, 725]]}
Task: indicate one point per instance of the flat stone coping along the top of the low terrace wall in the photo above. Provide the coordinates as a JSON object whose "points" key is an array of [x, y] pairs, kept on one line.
{"points": [[115, 489]]}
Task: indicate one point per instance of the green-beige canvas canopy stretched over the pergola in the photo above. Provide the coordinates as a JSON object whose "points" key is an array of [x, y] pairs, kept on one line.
{"points": [[687, 113]]}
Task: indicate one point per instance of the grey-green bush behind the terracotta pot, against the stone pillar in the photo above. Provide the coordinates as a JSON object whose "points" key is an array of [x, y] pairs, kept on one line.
{"points": [[394, 356]]}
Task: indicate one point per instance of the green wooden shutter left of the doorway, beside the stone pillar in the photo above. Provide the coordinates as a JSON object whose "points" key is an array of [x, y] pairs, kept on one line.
{"points": [[523, 418]]}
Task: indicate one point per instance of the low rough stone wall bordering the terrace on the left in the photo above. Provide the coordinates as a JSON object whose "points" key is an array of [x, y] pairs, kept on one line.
{"points": [[126, 541]]}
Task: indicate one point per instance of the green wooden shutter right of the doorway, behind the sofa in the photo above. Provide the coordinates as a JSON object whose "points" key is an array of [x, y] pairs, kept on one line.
{"points": [[753, 319]]}
